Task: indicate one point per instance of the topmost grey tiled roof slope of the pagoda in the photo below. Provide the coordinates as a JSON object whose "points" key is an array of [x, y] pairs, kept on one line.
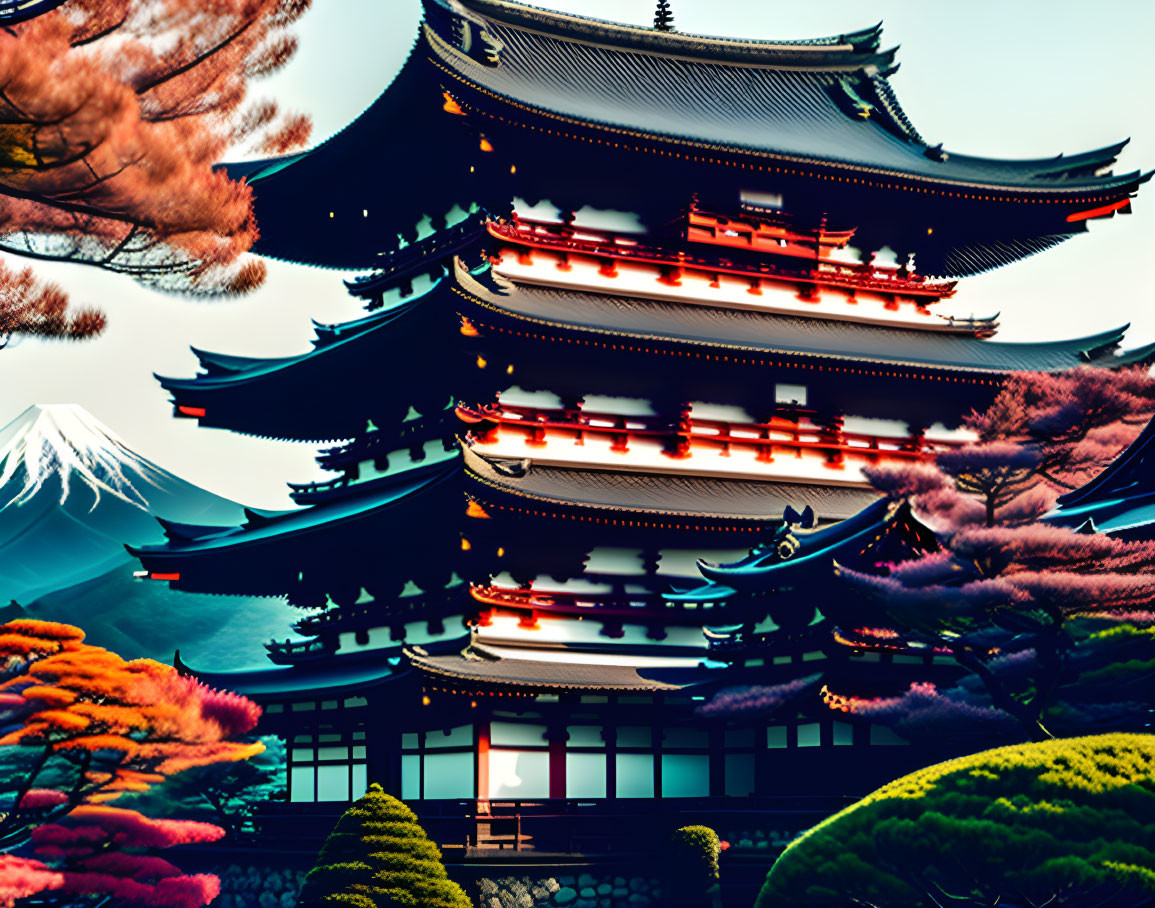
{"points": [[826, 101]]}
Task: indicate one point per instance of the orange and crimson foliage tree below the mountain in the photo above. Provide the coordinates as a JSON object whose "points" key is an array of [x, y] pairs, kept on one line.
{"points": [[80, 726]]}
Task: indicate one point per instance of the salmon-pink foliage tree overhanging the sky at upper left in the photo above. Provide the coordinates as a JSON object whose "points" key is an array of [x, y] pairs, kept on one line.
{"points": [[113, 116]]}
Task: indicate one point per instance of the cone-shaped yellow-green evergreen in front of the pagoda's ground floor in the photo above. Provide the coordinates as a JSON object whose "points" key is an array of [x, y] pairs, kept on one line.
{"points": [[378, 855]]}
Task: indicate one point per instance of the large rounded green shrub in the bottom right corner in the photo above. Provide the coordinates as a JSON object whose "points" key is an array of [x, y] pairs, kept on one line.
{"points": [[1061, 823]]}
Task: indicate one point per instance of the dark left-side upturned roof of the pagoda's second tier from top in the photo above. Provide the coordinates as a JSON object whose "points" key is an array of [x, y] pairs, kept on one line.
{"points": [[294, 398]]}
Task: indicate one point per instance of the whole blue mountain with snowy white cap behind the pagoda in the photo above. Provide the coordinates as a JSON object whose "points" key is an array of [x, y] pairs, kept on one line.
{"points": [[72, 494]]}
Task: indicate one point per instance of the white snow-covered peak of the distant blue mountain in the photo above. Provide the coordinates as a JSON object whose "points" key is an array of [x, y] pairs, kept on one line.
{"points": [[68, 442]]}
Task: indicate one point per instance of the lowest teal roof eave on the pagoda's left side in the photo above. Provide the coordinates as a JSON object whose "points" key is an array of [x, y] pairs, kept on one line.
{"points": [[348, 675]]}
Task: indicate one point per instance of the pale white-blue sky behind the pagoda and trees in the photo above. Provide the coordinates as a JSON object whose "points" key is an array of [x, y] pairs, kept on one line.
{"points": [[1024, 79]]}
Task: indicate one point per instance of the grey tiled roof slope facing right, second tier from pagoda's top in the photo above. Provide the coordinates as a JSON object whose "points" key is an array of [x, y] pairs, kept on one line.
{"points": [[752, 336]]}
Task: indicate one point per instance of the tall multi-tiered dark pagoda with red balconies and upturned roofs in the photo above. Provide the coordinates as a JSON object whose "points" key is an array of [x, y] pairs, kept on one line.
{"points": [[572, 384]]}
